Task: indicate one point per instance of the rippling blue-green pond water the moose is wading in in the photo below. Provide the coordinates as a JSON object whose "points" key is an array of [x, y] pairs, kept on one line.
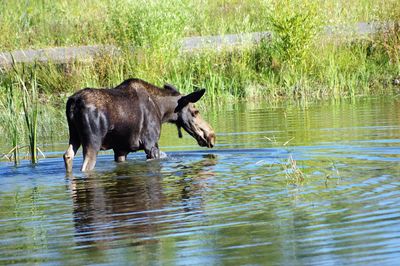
{"points": [[244, 202]]}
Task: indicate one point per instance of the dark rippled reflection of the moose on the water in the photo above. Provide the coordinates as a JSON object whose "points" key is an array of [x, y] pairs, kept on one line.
{"points": [[131, 202]]}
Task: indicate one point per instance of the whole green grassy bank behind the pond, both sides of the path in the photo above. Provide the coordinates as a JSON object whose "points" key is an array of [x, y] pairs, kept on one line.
{"points": [[300, 62]]}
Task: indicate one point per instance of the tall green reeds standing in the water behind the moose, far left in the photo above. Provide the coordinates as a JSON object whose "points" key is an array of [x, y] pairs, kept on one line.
{"points": [[23, 119]]}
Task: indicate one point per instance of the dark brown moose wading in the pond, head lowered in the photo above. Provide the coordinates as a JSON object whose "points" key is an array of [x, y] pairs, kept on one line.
{"points": [[128, 118]]}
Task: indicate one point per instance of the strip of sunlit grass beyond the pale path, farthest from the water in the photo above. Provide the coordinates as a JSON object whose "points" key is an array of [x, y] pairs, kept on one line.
{"points": [[44, 23]]}
